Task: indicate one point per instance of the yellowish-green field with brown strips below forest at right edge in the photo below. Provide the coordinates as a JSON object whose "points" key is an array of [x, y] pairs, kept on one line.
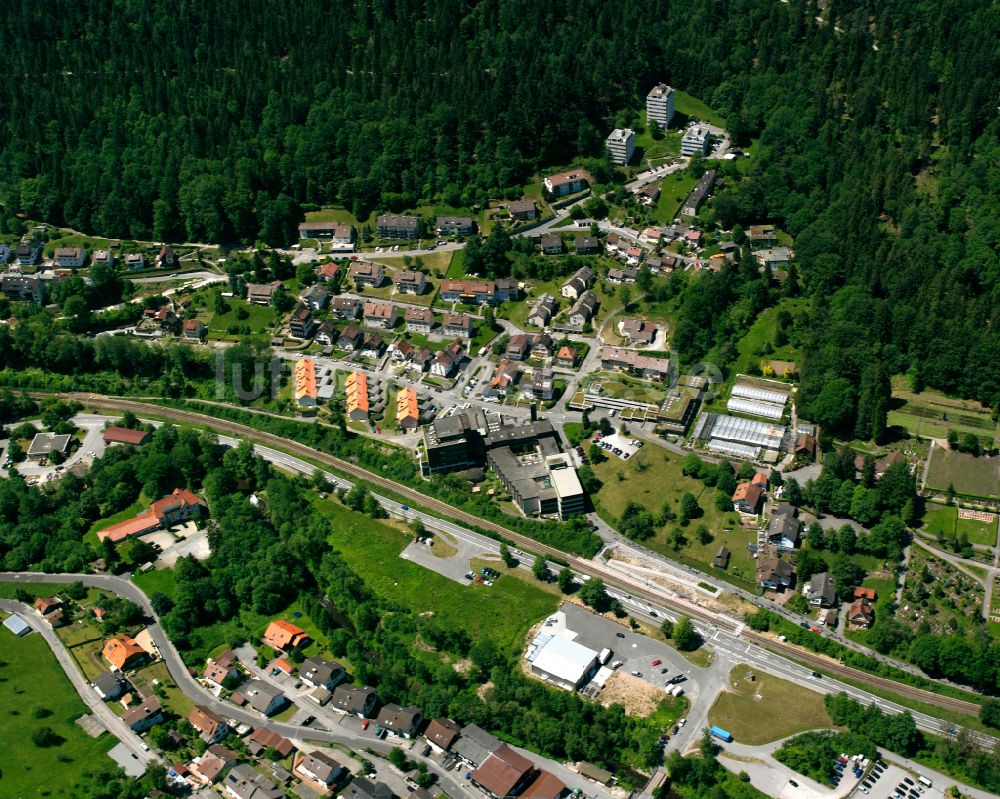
{"points": [[931, 414]]}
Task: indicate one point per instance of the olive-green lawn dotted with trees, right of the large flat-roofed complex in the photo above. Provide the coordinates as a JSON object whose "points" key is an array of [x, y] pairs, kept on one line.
{"points": [[653, 476]]}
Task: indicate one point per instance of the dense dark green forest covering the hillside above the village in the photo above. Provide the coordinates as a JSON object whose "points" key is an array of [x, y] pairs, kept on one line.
{"points": [[875, 134]]}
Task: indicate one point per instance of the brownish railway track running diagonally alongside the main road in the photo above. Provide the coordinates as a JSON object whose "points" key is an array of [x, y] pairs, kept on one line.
{"points": [[581, 565]]}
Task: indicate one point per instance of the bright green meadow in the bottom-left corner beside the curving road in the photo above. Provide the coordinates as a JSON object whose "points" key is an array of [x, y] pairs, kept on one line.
{"points": [[38, 687]]}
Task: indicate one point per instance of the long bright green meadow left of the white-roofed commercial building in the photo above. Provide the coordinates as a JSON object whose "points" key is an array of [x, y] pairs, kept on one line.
{"points": [[503, 612]]}
